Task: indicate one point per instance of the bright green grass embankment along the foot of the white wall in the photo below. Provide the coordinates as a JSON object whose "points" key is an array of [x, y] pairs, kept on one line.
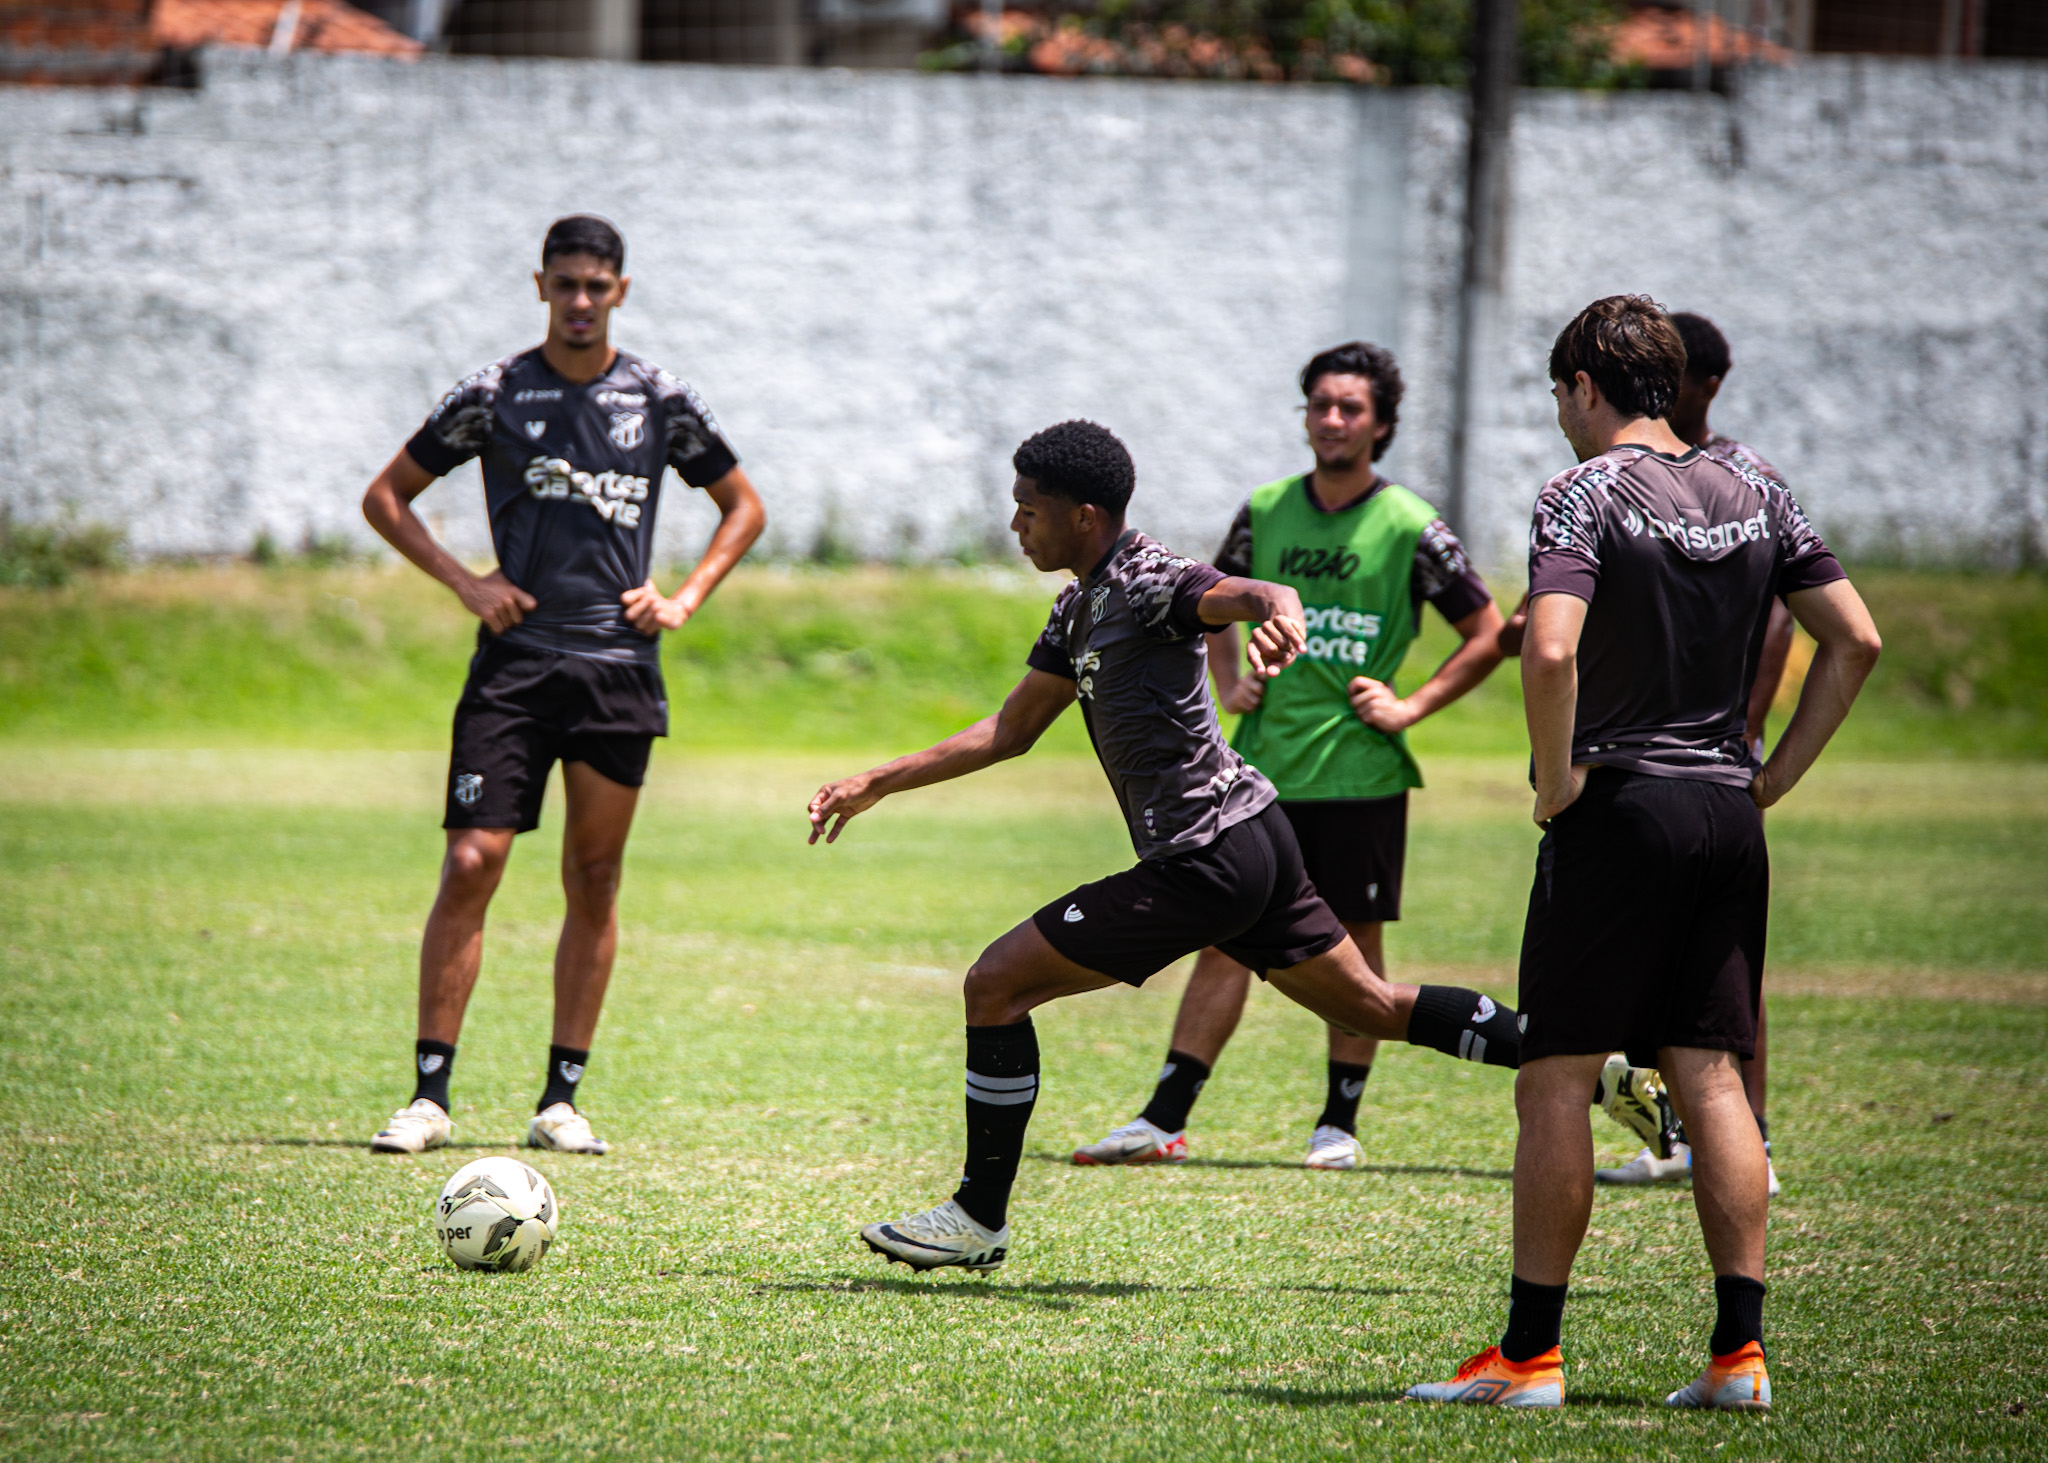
{"points": [[871, 659]]}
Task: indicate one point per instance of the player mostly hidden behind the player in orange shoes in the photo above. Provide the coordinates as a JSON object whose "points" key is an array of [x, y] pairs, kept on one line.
{"points": [[1707, 368]]}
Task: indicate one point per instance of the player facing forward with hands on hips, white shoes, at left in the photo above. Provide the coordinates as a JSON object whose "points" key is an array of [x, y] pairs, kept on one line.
{"points": [[574, 437]]}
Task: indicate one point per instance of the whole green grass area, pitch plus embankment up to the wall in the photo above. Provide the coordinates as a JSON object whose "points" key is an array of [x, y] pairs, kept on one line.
{"points": [[218, 837]]}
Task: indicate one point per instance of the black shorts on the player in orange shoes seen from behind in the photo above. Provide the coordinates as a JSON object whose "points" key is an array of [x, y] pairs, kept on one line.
{"points": [[1648, 921]]}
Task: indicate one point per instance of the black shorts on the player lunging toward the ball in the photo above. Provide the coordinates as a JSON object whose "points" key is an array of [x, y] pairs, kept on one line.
{"points": [[1246, 894]]}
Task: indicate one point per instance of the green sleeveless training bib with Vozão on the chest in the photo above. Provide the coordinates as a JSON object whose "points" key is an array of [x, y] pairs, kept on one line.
{"points": [[1353, 575]]}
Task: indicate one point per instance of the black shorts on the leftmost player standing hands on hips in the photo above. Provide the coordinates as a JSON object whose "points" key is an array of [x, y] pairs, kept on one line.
{"points": [[527, 710]]}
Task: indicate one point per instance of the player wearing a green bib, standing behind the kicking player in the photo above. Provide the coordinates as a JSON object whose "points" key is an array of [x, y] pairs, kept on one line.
{"points": [[1328, 733]]}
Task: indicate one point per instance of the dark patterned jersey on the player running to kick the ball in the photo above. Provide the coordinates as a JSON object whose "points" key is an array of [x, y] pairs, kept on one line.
{"points": [[1132, 638]]}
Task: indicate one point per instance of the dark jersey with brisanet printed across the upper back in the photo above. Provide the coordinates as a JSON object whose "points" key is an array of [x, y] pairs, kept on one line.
{"points": [[1678, 560]]}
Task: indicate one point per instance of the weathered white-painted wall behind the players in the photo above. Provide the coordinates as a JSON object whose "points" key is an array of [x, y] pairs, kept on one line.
{"points": [[230, 306]]}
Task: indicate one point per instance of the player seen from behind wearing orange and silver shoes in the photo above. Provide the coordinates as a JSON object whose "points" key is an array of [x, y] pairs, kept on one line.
{"points": [[1652, 577]]}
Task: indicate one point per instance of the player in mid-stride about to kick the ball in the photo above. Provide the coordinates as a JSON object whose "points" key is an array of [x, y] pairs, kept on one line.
{"points": [[1218, 862]]}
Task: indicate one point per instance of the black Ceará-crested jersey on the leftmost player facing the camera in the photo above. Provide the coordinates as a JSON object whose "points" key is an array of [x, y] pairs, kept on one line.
{"points": [[572, 478]]}
